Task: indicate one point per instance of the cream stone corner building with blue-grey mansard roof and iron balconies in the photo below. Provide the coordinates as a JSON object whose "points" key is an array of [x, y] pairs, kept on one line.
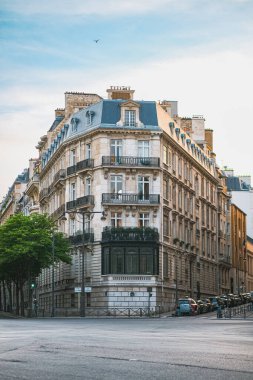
{"points": [[158, 191]]}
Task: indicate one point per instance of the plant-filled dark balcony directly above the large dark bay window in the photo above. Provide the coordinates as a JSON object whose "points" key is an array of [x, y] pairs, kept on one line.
{"points": [[145, 234]]}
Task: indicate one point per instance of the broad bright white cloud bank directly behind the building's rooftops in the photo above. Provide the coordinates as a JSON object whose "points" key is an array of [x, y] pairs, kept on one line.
{"points": [[212, 81]]}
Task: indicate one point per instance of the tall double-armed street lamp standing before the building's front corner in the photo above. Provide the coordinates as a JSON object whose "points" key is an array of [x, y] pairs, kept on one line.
{"points": [[83, 213]]}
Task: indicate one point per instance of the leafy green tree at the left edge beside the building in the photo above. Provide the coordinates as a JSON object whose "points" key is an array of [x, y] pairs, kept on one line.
{"points": [[26, 248]]}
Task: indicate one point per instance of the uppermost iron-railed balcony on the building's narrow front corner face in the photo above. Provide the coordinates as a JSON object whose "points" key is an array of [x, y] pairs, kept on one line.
{"points": [[131, 161]]}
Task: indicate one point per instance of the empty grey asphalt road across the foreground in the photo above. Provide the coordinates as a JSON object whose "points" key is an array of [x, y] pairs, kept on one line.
{"points": [[115, 349]]}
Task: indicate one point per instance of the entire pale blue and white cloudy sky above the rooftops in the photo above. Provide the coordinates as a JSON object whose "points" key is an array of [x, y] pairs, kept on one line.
{"points": [[198, 52]]}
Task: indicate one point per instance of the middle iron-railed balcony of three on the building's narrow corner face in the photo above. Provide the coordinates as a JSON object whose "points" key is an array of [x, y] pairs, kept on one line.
{"points": [[113, 198]]}
